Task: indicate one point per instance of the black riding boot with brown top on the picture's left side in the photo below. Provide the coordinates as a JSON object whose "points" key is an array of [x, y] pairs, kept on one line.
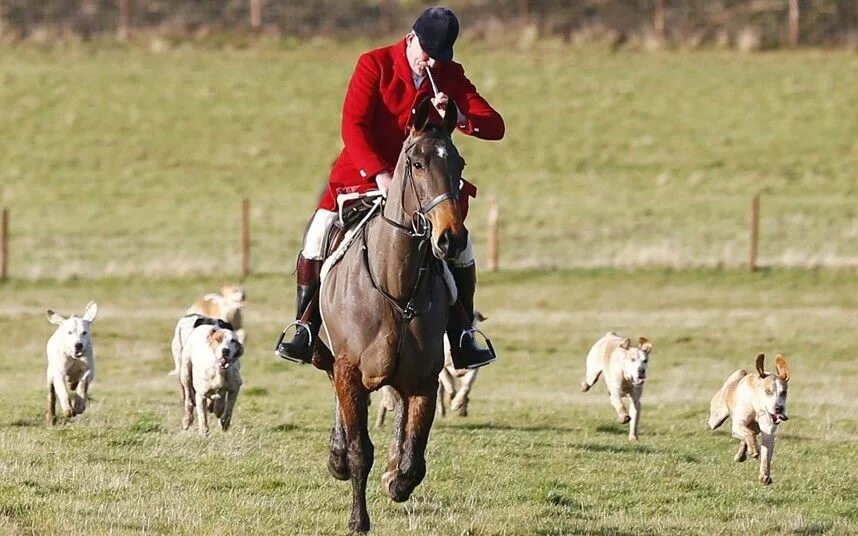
{"points": [[308, 319]]}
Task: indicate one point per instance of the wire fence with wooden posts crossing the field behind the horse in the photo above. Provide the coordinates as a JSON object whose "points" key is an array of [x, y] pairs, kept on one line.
{"points": [[255, 236]]}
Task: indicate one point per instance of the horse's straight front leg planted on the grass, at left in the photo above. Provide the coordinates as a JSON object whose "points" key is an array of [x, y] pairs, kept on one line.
{"points": [[353, 401]]}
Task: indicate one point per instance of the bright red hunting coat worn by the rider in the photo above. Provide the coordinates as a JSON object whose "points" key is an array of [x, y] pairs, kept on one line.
{"points": [[377, 111]]}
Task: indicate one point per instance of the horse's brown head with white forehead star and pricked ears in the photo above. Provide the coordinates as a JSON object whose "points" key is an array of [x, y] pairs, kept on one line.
{"points": [[429, 171]]}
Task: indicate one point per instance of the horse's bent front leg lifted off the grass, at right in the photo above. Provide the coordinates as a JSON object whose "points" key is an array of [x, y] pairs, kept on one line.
{"points": [[419, 412]]}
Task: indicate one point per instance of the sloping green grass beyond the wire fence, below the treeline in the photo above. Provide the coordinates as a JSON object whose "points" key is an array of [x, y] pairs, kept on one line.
{"points": [[127, 162]]}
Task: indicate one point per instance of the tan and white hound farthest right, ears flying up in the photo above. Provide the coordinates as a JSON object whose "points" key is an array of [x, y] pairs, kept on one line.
{"points": [[757, 404]]}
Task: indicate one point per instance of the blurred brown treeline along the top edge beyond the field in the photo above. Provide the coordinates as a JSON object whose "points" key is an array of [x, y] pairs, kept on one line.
{"points": [[646, 23]]}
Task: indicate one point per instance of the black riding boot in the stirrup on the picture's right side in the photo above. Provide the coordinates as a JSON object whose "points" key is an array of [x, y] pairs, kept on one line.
{"points": [[460, 323]]}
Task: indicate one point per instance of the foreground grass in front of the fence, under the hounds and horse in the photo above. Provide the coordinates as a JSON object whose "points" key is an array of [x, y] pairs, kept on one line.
{"points": [[536, 456]]}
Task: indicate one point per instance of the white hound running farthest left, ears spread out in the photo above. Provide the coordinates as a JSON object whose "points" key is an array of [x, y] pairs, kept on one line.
{"points": [[71, 363]]}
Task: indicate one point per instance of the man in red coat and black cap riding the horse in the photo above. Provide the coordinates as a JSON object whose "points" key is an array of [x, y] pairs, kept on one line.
{"points": [[386, 85]]}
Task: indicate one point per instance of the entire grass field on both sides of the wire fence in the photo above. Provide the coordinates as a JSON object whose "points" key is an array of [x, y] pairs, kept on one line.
{"points": [[124, 170]]}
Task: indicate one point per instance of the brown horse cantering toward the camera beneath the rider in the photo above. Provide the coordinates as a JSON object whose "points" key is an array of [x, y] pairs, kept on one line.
{"points": [[385, 307]]}
